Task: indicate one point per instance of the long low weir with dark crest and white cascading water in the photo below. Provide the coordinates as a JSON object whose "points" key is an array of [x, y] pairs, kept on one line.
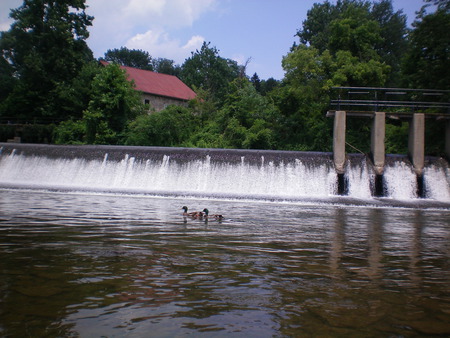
{"points": [[255, 174]]}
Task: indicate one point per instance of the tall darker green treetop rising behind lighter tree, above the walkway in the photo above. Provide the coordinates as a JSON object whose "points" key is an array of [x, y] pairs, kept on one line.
{"points": [[368, 31]]}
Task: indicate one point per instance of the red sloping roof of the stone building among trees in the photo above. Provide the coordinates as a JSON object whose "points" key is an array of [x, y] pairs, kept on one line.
{"points": [[158, 84]]}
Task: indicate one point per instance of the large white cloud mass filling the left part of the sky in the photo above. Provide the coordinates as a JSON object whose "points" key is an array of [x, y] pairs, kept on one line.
{"points": [[145, 24]]}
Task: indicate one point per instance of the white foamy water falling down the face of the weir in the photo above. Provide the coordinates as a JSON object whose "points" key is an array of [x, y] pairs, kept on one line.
{"points": [[291, 179]]}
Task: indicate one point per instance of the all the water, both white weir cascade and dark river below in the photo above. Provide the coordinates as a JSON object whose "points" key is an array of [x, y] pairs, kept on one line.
{"points": [[93, 243]]}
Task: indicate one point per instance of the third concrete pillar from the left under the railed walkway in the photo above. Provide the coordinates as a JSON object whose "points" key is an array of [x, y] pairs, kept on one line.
{"points": [[416, 142]]}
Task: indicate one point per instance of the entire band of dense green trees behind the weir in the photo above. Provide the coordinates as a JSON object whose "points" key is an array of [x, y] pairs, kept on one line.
{"points": [[72, 99]]}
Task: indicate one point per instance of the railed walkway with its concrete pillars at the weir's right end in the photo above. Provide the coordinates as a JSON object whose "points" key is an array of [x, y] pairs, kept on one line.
{"points": [[411, 105]]}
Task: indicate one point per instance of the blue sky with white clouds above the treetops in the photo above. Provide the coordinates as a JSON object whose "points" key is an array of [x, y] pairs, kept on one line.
{"points": [[258, 31]]}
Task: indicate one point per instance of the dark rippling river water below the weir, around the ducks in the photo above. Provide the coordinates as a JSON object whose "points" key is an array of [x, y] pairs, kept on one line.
{"points": [[113, 265]]}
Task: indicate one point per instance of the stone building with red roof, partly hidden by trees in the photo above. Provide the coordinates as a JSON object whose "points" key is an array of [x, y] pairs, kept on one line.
{"points": [[158, 90]]}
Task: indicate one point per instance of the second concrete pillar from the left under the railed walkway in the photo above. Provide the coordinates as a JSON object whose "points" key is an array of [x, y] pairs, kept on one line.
{"points": [[377, 142]]}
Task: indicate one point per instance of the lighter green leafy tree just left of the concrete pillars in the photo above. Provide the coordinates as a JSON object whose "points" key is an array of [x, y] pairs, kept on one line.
{"points": [[304, 98]]}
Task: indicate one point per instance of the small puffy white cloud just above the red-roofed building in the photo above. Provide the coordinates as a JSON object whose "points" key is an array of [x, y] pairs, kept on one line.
{"points": [[159, 44]]}
